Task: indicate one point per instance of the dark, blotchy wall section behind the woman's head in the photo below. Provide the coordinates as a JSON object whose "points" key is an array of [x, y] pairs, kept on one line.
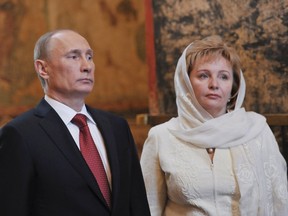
{"points": [[258, 29]]}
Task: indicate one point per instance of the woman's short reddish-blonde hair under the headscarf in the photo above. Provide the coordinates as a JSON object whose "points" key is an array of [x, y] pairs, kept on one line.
{"points": [[210, 48]]}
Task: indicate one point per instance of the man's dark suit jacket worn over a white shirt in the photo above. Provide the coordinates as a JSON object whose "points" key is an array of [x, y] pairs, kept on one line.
{"points": [[42, 172]]}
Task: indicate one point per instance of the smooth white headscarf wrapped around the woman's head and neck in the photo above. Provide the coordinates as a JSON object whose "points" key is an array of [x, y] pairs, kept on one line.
{"points": [[197, 126]]}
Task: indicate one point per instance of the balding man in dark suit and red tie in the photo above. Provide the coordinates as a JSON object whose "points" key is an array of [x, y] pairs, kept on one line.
{"points": [[43, 168]]}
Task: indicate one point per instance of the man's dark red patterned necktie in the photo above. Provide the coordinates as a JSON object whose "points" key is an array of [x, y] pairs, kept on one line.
{"points": [[91, 155]]}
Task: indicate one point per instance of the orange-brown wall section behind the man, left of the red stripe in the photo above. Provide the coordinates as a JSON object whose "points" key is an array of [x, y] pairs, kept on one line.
{"points": [[115, 31]]}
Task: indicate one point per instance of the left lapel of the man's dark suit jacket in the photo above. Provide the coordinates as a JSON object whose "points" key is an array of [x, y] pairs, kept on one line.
{"points": [[52, 124]]}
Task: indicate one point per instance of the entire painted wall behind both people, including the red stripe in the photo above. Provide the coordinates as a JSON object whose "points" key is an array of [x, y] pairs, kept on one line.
{"points": [[116, 32]]}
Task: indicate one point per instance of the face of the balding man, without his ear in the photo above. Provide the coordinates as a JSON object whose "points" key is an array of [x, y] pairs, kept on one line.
{"points": [[70, 67]]}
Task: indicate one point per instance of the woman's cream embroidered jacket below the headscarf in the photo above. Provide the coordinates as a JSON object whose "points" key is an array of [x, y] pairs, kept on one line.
{"points": [[181, 179]]}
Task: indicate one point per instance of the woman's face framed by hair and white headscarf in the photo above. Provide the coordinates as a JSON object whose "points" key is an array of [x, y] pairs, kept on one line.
{"points": [[212, 83]]}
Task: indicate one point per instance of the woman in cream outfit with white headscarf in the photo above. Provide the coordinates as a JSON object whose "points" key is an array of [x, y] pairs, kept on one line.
{"points": [[214, 158]]}
